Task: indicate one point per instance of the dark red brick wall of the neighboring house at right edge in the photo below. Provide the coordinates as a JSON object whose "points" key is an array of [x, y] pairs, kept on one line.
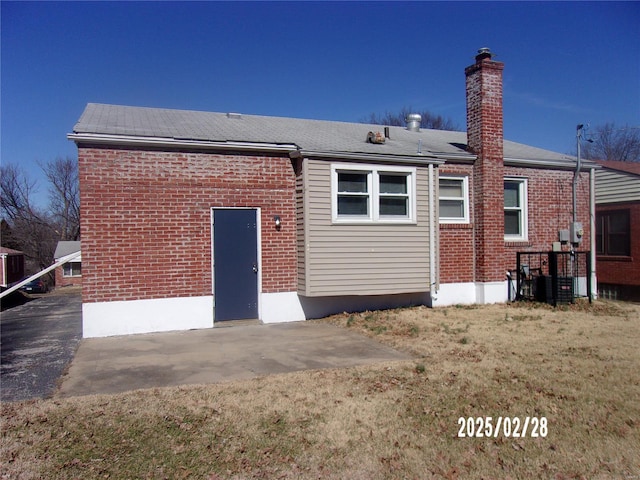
{"points": [[622, 270]]}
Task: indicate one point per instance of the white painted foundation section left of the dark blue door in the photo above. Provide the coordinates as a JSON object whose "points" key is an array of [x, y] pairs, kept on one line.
{"points": [[104, 319]]}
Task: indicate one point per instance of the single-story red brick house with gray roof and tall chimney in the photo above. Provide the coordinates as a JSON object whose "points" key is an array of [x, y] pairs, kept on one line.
{"points": [[191, 218]]}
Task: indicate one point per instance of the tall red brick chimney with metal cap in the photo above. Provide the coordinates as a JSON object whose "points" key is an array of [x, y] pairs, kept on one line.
{"points": [[485, 139]]}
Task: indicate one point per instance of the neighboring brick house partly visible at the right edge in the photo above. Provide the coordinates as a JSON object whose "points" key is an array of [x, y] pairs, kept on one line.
{"points": [[618, 229]]}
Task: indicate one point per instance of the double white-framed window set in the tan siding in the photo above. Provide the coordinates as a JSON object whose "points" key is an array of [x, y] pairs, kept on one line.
{"points": [[371, 193]]}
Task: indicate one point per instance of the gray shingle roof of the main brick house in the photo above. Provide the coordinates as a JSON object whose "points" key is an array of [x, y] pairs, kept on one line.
{"points": [[306, 135]]}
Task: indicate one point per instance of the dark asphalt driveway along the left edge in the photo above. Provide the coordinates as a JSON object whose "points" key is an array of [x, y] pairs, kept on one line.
{"points": [[37, 342]]}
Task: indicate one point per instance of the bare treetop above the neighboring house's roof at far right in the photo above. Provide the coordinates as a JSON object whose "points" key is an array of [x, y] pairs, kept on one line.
{"points": [[608, 142]]}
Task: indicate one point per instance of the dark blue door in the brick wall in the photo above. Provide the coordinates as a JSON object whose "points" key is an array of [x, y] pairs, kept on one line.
{"points": [[235, 253]]}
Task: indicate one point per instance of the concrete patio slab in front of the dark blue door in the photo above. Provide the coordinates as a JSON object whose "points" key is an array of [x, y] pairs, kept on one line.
{"points": [[118, 364]]}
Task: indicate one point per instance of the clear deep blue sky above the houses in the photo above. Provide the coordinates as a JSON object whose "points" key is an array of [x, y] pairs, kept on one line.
{"points": [[565, 63]]}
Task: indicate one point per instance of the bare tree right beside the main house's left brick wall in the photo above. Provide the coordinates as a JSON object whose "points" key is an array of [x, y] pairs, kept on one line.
{"points": [[64, 196]]}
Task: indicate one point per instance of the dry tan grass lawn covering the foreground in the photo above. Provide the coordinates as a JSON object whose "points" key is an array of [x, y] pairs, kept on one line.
{"points": [[578, 367]]}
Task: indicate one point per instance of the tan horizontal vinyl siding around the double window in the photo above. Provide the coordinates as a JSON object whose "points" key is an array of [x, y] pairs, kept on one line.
{"points": [[362, 259]]}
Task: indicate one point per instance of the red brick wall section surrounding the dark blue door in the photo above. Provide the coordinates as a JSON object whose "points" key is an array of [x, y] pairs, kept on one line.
{"points": [[146, 225]]}
